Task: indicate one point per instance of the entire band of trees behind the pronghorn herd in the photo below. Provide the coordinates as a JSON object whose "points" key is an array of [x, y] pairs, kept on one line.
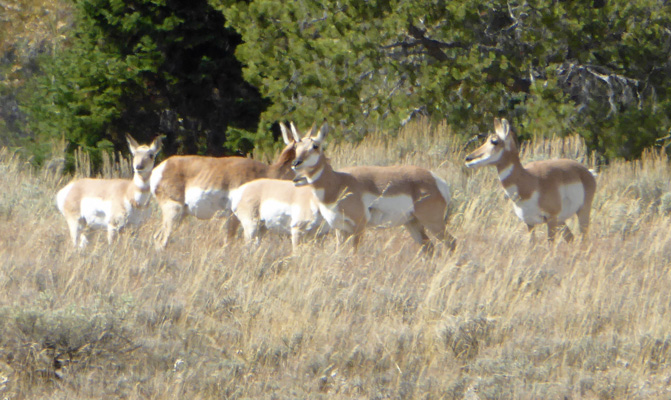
{"points": [[215, 76]]}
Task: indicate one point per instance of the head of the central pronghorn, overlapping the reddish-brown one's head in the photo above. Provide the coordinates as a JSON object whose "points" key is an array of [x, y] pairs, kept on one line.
{"points": [[309, 153]]}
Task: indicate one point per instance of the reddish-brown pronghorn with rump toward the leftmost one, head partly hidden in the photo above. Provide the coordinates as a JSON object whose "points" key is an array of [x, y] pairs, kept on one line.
{"points": [[200, 185]]}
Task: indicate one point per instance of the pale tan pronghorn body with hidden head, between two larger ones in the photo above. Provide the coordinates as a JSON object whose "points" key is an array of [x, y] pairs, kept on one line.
{"points": [[271, 204]]}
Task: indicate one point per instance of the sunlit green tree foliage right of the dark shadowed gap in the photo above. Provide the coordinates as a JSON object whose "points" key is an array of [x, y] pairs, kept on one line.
{"points": [[595, 68]]}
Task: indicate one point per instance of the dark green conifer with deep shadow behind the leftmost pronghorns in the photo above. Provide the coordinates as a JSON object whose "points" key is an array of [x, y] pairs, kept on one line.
{"points": [[146, 68]]}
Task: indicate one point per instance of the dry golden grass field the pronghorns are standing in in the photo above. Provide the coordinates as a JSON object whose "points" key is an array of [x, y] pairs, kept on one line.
{"points": [[503, 317]]}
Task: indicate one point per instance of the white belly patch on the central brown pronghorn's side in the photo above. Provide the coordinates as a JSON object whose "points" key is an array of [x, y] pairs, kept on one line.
{"points": [[388, 211]]}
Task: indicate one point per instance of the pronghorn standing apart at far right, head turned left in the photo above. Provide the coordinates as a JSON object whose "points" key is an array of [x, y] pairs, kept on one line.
{"points": [[549, 191]]}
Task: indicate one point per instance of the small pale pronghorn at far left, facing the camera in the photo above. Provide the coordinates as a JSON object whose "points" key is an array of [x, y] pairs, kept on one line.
{"points": [[109, 203]]}
